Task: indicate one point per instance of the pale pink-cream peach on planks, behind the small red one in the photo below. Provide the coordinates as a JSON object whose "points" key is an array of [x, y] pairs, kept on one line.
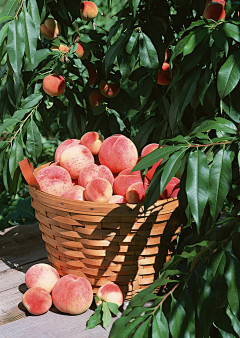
{"points": [[41, 275]]}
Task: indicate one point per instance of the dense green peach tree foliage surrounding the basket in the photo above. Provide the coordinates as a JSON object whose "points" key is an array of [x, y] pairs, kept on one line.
{"points": [[197, 115]]}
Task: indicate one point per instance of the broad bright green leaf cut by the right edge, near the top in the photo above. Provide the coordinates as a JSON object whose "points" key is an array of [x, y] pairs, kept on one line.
{"points": [[229, 75]]}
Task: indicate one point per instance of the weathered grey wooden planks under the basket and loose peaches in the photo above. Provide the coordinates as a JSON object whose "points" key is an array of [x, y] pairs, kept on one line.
{"points": [[21, 247]]}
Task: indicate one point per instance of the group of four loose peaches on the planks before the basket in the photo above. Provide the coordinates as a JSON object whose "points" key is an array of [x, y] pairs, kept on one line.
{"points": [[69, 294]]}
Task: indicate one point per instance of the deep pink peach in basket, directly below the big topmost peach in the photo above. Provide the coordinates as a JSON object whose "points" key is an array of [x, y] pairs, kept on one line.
{"points": [[123, 181]]}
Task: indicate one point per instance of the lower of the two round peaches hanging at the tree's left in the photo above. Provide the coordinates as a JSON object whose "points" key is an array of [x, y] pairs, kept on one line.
{"points": [[54, 85]]}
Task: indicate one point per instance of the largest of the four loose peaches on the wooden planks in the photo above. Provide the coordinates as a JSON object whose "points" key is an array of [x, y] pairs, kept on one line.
{"points": [[72, 294]]}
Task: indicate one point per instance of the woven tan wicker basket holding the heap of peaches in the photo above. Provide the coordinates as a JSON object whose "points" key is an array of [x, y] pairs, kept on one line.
{"points": [[107, 242]]}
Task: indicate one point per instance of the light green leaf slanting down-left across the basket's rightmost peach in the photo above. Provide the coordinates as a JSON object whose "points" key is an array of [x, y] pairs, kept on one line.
{"points": [[171, 167]]}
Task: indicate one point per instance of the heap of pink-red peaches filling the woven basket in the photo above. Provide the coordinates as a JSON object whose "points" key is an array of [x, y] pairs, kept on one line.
{"points": [[97, 170]]}
